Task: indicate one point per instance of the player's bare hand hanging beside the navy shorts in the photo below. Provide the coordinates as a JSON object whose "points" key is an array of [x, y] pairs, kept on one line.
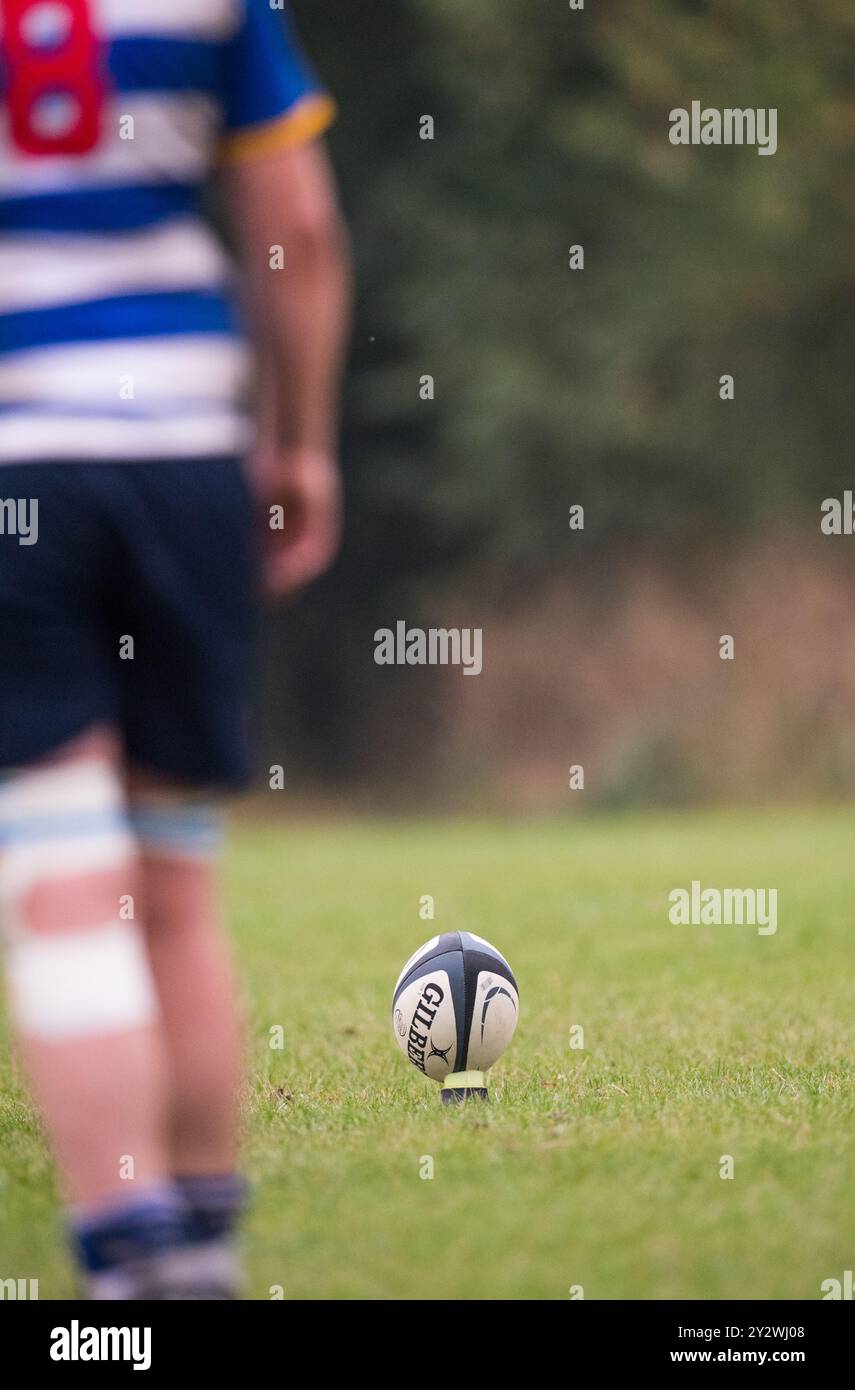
{"points": [[302, 518]]}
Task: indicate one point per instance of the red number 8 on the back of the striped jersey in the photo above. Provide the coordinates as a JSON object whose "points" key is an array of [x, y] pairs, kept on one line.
{"points": [[55, 84]]}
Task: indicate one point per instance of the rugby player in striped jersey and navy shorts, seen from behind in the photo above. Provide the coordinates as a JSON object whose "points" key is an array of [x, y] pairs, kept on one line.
{"points": [[162, 411]]}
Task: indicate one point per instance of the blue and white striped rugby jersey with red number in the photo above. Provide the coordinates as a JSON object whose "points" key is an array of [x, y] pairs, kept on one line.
{"points": [[119, 337]]}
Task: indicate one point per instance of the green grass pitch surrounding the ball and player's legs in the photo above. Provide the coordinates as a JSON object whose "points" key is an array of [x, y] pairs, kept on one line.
{"points": [[597, 1167]]}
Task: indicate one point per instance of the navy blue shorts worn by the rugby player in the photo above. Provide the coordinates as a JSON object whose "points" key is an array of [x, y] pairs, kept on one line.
{"points": [[158, 553]]}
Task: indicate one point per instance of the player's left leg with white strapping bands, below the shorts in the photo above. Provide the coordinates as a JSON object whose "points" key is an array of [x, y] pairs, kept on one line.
{"points": [[84, 1004]]}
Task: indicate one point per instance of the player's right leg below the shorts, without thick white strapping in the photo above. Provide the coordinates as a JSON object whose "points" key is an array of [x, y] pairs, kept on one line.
{"points": [[180, 840]]}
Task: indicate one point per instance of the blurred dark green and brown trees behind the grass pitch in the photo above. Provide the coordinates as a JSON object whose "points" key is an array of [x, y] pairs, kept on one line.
{"points": [[600, 387]]}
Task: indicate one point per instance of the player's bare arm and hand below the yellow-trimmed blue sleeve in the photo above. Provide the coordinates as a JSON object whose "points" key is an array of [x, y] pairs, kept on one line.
{"points": [[300, 309]]}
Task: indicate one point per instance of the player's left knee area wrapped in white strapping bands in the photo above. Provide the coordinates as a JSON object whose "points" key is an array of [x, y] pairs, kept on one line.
{"points": [[76, 961]]}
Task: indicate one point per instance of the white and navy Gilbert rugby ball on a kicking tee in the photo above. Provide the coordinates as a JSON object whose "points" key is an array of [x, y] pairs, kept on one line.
{"points": [[455, 1011]]}
